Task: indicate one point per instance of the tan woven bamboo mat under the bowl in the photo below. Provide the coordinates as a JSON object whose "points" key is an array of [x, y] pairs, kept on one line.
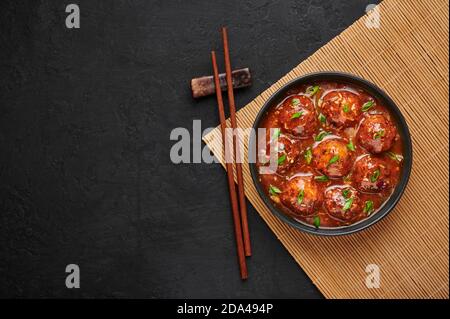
{"points": [[407, 56]]}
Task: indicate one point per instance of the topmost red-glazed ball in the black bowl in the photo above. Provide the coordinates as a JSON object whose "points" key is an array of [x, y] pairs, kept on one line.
{"points": [[341, 108]]}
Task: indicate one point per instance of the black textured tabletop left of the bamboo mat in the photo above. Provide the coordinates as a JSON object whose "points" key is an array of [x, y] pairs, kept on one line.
{"points": [[85, 118]]}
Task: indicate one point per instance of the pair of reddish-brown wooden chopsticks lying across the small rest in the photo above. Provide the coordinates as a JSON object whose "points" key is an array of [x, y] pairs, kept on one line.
{"points": [[239, 211]]}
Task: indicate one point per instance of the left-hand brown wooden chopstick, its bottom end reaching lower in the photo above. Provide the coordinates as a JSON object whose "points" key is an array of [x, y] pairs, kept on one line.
{"points": [[229, 166]]}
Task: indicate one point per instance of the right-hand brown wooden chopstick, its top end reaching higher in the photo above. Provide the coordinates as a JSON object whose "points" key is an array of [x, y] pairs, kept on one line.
{"points": [[240, 179]]}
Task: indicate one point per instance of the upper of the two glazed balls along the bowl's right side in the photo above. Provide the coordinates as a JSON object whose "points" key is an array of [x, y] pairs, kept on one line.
{"points": [[376, 133]]}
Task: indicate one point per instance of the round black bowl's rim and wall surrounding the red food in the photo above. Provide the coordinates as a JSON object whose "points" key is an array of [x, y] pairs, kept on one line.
{"points": [[403, 131]]}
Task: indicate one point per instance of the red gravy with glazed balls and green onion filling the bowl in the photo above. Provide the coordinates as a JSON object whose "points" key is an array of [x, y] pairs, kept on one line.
{"points": [[338, 154]]}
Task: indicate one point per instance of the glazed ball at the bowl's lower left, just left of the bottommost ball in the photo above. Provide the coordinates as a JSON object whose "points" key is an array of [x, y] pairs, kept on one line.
{"points": [[301, 195]]}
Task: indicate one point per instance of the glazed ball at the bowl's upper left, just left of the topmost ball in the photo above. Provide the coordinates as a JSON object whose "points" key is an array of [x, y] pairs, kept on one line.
{"points": [[298, 117]]}
